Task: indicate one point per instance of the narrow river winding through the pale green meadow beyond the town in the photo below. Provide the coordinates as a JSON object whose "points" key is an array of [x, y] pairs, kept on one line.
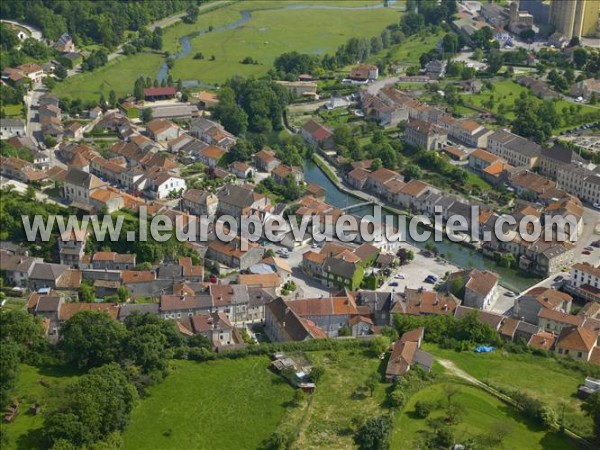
{"points": [[245, 16]]}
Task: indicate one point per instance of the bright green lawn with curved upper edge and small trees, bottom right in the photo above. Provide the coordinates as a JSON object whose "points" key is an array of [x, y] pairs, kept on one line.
{"points": [[484, 415]]}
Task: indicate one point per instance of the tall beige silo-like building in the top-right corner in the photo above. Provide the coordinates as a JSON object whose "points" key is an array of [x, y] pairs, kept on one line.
{"points": [[575, 18]]}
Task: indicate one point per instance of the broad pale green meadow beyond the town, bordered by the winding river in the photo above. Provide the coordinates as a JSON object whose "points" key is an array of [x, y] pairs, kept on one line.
{"points": [[269, 33]]}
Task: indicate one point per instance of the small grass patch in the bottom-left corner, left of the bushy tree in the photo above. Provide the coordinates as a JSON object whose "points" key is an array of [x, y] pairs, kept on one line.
{"points": [[25, 432]]}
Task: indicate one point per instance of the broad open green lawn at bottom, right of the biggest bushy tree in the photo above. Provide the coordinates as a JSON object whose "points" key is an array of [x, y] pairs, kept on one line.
{"points": [[225, 404]]}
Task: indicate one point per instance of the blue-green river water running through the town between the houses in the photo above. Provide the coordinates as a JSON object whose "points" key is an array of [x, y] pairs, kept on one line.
{"points": [[457, 254]]}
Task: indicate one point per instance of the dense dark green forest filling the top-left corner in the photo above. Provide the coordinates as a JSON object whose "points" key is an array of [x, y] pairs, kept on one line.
{"points": [[87, 21]]}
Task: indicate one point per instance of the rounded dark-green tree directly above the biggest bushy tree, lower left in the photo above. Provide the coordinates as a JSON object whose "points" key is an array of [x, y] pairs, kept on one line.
{"points": [[90, 339]]}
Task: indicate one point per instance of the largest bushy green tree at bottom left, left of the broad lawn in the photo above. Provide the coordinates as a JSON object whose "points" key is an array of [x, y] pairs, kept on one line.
{"points": [[92, 408]]}
